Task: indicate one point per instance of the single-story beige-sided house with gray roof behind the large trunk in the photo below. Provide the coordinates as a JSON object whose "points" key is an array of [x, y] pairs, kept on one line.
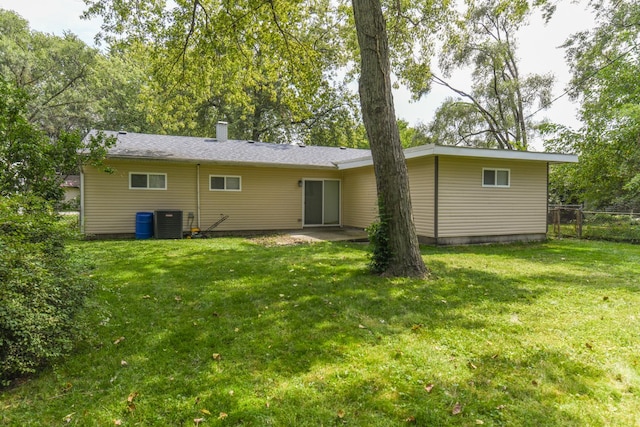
{"points": [[459, 195]]}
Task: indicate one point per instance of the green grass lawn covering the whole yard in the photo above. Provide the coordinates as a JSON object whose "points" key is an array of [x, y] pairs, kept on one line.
{"points": [[538, 334]]}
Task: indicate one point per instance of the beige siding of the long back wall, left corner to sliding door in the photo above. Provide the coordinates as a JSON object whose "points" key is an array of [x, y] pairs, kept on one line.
{"points": [[270, 198]]}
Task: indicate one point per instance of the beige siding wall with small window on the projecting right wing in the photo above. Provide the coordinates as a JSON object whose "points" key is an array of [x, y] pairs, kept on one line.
{"points": [[466, 208]]}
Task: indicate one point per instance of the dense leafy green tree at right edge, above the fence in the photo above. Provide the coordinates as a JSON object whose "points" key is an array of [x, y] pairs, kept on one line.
{"points": [[605, 68]]}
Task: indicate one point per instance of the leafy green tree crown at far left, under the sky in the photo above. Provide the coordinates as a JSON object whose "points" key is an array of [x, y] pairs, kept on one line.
{"points": [[55, 71]]}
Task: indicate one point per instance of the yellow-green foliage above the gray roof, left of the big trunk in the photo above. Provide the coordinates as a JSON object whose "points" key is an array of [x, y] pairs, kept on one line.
{"points": [[269, 69]]}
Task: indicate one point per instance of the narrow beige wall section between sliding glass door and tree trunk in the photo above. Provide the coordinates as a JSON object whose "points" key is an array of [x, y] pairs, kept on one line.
{"points": [[360, 205]]}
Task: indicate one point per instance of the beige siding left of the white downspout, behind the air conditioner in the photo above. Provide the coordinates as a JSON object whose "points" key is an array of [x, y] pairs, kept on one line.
{"points": [[110, 206]]}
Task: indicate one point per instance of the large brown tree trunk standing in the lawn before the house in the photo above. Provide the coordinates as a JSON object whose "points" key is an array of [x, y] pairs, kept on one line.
{"points": [[378, 113]]}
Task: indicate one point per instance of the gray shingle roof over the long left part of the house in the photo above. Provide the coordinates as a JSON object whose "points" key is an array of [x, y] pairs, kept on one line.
{"points": [[186, 148]]}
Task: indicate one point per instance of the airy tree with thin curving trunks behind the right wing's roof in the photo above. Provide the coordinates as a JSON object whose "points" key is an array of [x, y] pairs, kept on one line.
{"points": [[494, 111]]}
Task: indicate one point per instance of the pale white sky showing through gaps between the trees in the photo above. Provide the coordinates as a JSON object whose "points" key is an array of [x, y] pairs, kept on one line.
{"points": [[539, 52]]}
